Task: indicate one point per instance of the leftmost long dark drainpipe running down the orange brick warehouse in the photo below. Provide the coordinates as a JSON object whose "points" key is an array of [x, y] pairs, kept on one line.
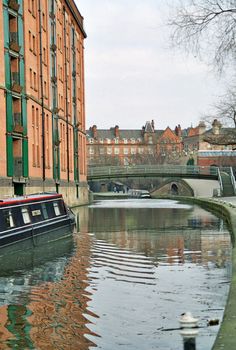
{"points": [[42, 92]]}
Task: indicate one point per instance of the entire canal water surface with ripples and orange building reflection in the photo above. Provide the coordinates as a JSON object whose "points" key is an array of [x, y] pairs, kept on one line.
{"points": [[121, 282]]}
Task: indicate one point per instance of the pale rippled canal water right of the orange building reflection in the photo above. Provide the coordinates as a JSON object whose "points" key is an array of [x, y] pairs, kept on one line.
{"points": [[154, 260]]}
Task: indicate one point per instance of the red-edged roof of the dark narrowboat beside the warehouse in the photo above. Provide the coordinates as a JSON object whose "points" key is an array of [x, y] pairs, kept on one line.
{"points": [[35, 197]]}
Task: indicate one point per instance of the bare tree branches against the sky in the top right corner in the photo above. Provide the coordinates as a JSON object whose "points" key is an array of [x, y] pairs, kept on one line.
{"points": [[206, 27]]}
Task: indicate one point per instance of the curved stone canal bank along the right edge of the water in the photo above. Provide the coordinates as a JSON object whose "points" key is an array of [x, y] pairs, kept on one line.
{"points": [[226, 208]]}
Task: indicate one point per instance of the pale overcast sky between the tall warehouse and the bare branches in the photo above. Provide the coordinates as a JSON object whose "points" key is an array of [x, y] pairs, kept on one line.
{"points": [[131, 73]]}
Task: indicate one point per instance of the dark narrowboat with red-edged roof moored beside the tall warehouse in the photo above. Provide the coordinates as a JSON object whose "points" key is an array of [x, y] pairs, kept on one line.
{"points": [[37, 218]]}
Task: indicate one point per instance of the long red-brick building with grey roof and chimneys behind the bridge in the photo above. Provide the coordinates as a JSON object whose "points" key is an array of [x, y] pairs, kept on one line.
{"points": [[116, 146]]}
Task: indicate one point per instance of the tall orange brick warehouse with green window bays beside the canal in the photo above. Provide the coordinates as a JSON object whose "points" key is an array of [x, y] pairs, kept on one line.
{"points": [[42, 130]]}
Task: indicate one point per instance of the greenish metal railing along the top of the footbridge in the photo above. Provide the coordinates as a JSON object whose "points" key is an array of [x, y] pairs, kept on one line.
{"points": [[153, 169]]}
